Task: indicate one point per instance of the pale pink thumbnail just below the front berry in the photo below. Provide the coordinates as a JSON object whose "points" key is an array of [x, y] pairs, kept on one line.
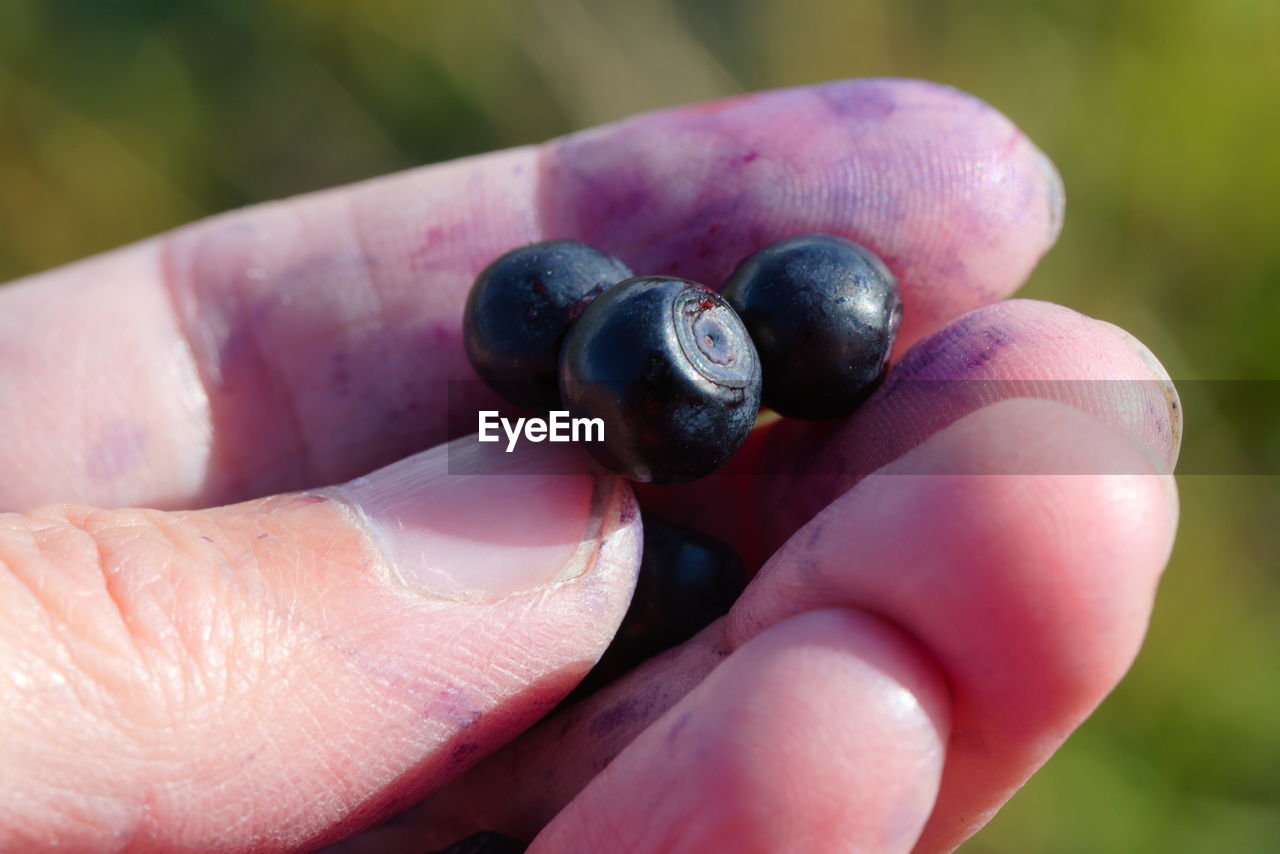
{"points": [[515, 522]]}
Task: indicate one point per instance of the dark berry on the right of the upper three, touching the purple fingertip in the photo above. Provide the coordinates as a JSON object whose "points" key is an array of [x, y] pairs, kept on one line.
{"points": [[824, 313]]}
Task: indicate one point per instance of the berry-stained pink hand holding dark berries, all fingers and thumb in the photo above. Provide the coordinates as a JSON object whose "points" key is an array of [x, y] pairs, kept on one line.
{"points": [[948, 583]]}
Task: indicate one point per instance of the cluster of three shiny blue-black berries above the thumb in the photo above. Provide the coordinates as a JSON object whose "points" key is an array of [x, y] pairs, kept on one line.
{"points": [[674, 371]]}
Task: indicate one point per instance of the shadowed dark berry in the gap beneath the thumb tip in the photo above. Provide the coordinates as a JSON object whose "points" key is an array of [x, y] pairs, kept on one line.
{"points": [[687, 581]]}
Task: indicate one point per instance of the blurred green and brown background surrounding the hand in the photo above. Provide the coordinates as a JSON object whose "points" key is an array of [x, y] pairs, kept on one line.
{"points": [[124, 118]]}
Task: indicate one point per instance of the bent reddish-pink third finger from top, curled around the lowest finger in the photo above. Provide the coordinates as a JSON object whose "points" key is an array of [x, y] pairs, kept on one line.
{"points": [[1032, 591]]}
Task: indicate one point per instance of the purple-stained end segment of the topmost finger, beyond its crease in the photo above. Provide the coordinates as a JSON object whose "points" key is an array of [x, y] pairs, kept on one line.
{"points": [[943, 186]]}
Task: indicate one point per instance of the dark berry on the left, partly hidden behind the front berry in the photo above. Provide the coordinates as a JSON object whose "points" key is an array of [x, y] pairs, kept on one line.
{"points": [[520, 309]]}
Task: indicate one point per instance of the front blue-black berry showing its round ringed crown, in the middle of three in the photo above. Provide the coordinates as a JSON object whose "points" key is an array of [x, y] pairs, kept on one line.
{"points": [[670, 369]]}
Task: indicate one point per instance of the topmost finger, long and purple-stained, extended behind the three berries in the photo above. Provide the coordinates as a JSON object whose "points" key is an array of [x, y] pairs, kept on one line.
{"points": [[304, 342]]}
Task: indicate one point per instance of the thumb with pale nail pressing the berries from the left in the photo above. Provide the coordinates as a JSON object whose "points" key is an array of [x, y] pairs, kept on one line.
{"points": [[282, 673]]}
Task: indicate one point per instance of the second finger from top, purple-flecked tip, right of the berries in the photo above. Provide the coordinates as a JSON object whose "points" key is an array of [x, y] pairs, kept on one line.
{"points": [[1012, 349]]}
